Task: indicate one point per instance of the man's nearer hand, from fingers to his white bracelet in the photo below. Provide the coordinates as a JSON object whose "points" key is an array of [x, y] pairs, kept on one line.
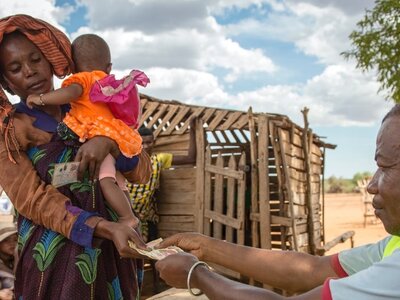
{"points": [[174, 268]]}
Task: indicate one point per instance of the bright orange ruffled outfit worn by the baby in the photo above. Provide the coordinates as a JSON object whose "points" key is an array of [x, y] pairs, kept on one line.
{"points": [[88, 119]]}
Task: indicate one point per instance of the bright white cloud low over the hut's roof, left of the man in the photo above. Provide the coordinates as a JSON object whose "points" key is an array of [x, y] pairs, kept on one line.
{"points": [[332, 101]]}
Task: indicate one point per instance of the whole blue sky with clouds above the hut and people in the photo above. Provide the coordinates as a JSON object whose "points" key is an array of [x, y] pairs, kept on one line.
{"points": [[276, 56]]}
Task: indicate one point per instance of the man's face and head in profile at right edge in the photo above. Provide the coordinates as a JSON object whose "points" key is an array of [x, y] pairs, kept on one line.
{"points": [[385, 185]]}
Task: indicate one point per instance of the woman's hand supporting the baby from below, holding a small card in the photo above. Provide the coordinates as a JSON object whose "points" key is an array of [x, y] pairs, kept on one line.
{"points": [[92, 153]]}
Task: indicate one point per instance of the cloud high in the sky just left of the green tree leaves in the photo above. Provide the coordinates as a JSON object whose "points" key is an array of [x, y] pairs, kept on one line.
{"points": [[321, 32]]}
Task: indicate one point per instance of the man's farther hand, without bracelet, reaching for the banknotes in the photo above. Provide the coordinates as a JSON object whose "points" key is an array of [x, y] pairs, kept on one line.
{"points": [[194, 243]]}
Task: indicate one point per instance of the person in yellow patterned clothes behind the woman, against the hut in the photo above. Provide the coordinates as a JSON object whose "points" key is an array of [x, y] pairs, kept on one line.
{"points": [[142, 195]]}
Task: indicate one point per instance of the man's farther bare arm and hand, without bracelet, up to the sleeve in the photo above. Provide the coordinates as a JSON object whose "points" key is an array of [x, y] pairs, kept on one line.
{"points": [[289, 270]]}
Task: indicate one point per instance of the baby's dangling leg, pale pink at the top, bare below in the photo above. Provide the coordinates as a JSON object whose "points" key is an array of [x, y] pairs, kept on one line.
{"points": [[113, 193]]}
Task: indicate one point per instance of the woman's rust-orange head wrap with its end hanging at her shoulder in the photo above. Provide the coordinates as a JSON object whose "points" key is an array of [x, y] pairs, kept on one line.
{"points": [[55, 47]]}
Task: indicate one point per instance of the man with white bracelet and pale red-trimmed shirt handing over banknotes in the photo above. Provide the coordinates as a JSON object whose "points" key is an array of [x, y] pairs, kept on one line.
{"points": [[368, 272]]}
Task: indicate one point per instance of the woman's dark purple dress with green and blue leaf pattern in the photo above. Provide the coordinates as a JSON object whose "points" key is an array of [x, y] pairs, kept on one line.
{"points": [[54, 267]]}
